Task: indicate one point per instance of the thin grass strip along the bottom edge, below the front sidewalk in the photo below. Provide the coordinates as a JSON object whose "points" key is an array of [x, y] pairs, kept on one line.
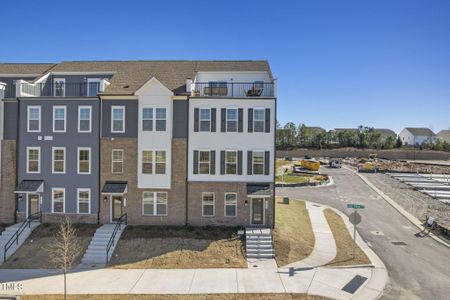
{"points": [[177, 297]]}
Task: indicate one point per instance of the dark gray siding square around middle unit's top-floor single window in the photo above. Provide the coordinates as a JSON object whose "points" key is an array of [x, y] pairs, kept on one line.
{"points": [[131, 118]]}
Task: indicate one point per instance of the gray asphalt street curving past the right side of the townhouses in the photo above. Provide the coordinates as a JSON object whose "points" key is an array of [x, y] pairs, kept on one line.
{"points": [[418, 269]]}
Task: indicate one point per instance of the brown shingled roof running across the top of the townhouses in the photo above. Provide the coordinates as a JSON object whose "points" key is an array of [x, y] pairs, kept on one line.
{"points": [[129, 76]]}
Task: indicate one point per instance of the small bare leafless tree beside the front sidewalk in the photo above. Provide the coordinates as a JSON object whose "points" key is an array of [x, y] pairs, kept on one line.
{"points": [[65, 249]]}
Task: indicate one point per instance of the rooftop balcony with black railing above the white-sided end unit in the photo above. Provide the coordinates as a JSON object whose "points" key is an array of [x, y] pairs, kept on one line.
{"points": [[257, 89]]}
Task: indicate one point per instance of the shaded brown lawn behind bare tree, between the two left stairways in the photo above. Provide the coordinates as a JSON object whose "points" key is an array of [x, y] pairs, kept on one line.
{"points": [[33, 255]]}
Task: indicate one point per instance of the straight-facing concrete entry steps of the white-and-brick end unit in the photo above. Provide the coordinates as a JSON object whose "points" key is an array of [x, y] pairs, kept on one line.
{"points": [[259, 244]]}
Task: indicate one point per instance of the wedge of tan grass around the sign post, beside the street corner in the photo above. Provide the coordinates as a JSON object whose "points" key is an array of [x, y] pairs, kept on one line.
{"points": [[344, 242]]}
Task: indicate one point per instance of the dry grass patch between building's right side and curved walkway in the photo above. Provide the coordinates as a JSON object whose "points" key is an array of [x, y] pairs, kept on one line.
{"points": [[293, 235]]}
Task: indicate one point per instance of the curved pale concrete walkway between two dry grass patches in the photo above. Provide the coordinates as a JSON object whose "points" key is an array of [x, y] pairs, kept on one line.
{"points": [[324, 246]]}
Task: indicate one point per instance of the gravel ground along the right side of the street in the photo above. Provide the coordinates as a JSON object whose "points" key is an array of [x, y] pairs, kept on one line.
{"points": [[415, 202]]}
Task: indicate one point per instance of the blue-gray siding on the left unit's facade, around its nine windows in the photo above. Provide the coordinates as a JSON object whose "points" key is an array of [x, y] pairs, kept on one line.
{"points": [[71, 139]]}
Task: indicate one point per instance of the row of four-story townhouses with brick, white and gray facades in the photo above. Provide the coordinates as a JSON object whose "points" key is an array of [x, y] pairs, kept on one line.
{"points": [[164, 142]]}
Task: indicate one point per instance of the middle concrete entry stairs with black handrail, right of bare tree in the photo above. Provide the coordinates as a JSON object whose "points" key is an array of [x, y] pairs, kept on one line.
{"points": [[95, 255]]}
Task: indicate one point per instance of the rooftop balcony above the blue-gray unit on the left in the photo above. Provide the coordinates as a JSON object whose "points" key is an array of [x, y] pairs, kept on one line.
{"points": [[60, 89]]}
